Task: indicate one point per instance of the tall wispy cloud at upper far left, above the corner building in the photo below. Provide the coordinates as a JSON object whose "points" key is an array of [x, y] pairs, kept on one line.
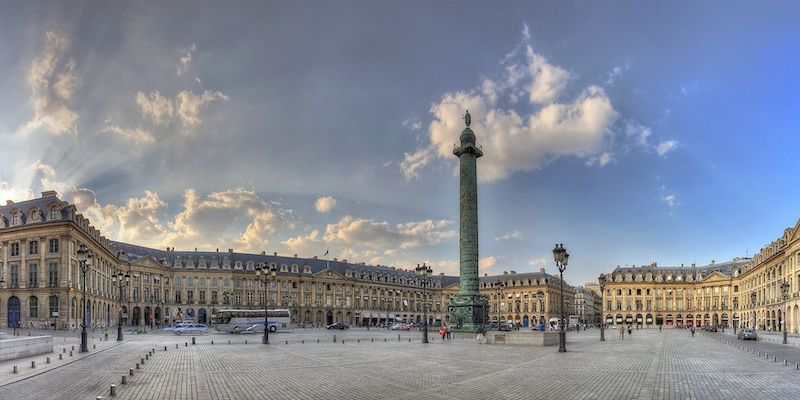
{"points": [[52, 81]]}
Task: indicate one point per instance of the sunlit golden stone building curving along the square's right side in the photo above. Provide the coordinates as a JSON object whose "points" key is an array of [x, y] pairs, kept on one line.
{"points": [[743, 292]]}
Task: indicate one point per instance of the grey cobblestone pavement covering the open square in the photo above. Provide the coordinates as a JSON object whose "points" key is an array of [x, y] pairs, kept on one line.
{"points": [[308, 364]]}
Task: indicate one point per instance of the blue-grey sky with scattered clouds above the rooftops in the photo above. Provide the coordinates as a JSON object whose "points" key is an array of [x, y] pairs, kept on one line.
{"points": [[631, 132]]}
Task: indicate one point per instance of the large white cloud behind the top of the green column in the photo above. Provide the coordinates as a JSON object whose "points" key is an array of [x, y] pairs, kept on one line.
{"points": [[517, 142]]}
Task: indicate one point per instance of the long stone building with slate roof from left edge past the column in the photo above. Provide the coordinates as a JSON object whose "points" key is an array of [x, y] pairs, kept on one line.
{"points": [[41, 281]]}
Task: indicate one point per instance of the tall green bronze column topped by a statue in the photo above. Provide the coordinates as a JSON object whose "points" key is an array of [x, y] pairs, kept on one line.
{"points": [[468, 311]]}
